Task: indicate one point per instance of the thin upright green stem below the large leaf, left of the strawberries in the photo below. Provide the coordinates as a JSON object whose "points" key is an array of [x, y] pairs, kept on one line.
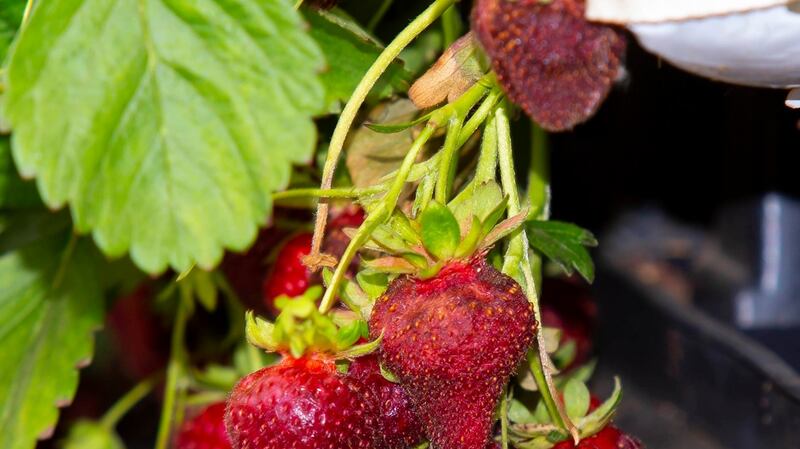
{"points": [[175, 370]]}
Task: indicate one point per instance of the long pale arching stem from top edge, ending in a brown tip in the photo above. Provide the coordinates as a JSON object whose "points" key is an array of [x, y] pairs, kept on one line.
{"points": [[350, 110]]}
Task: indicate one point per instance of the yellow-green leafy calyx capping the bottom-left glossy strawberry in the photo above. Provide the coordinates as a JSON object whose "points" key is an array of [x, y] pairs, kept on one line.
{"points": [[300, 329]]}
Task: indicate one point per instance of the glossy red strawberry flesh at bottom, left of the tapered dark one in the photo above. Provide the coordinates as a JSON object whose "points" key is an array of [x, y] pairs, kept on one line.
{"points": [[299, 404]]}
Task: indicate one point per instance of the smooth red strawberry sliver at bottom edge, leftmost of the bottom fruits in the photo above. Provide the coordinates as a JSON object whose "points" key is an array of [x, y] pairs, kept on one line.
{"points": [[205, 431]]}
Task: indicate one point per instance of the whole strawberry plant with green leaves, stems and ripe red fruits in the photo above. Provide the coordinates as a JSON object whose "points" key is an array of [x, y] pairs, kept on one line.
{"points": [[143, 142]]}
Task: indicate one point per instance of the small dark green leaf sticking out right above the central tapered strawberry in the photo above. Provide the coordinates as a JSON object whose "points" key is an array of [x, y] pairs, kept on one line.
{"points": [[565, 244]]}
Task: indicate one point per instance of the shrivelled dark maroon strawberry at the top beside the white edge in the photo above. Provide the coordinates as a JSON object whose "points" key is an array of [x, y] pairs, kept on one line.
{"points": [[549, 59]]}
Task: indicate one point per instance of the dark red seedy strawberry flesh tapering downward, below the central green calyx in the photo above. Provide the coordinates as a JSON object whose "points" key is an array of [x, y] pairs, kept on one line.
{"points": [[454, 340]]}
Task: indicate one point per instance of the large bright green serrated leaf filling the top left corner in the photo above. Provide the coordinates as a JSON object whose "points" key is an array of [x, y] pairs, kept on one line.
{"points": [[166, 124]]}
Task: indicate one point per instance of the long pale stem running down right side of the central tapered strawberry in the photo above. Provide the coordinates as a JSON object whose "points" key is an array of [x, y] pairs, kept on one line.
{"points": [[542, 371]]}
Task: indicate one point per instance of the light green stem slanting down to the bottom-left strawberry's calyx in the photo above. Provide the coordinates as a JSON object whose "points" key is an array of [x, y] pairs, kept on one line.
{"points": [[376, 217]]}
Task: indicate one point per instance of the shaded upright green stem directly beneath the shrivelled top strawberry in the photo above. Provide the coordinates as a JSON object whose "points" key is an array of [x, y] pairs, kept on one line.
{"points": [[539, 174]]}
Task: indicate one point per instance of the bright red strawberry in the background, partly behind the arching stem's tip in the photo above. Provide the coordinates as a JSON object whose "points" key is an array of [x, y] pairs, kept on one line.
{"points": [[288, 275]]}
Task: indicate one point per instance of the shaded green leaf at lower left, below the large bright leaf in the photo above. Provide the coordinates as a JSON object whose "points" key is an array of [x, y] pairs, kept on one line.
{"points": [[50, 304]]}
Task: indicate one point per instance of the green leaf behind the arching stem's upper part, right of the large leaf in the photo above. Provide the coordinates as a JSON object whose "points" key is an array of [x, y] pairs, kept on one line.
{"points": [[350, 52]]}
